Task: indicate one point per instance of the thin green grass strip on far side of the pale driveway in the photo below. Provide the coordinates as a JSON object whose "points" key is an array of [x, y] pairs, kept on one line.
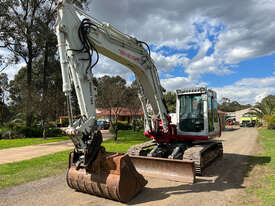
{"points": [[10, 143]]}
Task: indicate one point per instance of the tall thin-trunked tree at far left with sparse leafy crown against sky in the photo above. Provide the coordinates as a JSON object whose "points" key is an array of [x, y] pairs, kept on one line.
{"points": [[18, 35]]}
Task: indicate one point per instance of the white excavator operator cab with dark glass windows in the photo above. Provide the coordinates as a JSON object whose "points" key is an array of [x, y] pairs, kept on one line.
{"points": [[197, 113]]}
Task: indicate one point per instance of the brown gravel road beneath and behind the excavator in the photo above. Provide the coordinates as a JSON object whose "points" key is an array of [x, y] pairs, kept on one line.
{"points": [[222, 184]]}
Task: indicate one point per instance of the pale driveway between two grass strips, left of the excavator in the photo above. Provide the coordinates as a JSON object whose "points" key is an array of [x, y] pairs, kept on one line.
{"points": [[17, 154]]}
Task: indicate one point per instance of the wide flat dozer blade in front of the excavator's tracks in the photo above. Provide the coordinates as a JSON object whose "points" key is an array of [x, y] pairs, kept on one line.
{"points": [[175, 170]]}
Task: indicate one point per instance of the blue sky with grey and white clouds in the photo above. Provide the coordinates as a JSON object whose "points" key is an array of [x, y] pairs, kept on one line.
{"points": [[228, 46]]}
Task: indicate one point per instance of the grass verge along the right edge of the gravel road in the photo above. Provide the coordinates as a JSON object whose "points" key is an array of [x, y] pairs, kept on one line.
{"points": [[261, 180]]}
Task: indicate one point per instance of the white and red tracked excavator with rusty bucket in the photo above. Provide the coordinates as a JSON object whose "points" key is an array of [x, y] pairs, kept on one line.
{"points": [[179, 149]]}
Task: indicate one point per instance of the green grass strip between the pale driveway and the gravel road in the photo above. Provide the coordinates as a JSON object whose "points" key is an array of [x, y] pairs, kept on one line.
{"points": [[54, 164]]}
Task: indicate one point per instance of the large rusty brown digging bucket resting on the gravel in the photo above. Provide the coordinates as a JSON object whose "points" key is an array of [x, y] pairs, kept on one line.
{"points": [[111, 175]]}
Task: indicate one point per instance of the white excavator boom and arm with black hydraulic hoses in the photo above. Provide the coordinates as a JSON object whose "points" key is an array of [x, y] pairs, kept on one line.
{"points": [[79, 36]]}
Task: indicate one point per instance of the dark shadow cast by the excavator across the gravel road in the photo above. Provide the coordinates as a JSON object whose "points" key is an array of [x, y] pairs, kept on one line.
{"points": [[225, 174]]}
